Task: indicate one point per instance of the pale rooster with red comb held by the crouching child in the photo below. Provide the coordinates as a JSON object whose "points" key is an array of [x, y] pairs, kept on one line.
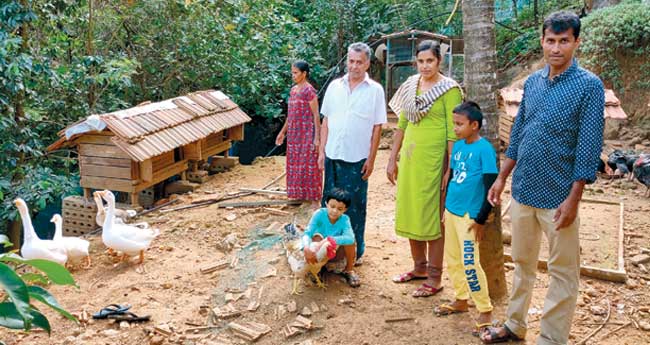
{"points": [[325, 250]]}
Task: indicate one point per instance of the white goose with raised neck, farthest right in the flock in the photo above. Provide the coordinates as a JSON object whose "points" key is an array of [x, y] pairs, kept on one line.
{"points": [[125, 238]]}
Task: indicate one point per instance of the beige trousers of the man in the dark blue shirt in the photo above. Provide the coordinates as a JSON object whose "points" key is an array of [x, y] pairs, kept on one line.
{"points": [[528, 224]]}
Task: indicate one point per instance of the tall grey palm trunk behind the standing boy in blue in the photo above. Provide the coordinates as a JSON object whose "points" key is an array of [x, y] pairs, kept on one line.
{"points": [[481, 86]]}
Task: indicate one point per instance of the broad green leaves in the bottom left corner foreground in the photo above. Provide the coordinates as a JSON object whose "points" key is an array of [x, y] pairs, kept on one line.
{"points": [[18, 311]]}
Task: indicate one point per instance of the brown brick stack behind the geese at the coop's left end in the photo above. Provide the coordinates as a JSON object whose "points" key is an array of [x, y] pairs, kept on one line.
{"points": [[78, 215]]}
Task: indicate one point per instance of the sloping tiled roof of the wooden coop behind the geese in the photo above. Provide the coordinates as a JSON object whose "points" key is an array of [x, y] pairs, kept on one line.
{"points": [[150, 129]]}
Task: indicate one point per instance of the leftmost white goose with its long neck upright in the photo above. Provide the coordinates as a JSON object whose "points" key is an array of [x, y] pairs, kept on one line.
{"points": [[33, 247]]}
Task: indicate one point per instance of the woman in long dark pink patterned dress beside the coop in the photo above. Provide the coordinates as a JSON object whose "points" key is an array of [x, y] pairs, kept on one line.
{"points": [[302, 130]]}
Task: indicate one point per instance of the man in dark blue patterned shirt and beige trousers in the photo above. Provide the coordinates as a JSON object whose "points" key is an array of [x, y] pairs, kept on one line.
{"points": [[554, 149]]}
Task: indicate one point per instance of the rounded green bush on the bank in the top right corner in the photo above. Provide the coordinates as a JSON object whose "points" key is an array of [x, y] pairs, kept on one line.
{"points": [[614, 33]]}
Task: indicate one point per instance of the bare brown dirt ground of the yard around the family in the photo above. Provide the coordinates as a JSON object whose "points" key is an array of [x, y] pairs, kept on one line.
{"points": [[170, 287]]}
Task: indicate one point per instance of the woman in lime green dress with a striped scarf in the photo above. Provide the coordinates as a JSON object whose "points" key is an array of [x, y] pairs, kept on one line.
{"points": [[421, 146]]}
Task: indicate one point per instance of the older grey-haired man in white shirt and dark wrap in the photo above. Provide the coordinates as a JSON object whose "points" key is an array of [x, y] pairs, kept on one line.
{"points": [[354, 108]]}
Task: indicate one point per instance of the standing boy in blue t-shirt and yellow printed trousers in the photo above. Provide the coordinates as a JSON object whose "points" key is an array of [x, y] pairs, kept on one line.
{"points": [[473, 170]]}
